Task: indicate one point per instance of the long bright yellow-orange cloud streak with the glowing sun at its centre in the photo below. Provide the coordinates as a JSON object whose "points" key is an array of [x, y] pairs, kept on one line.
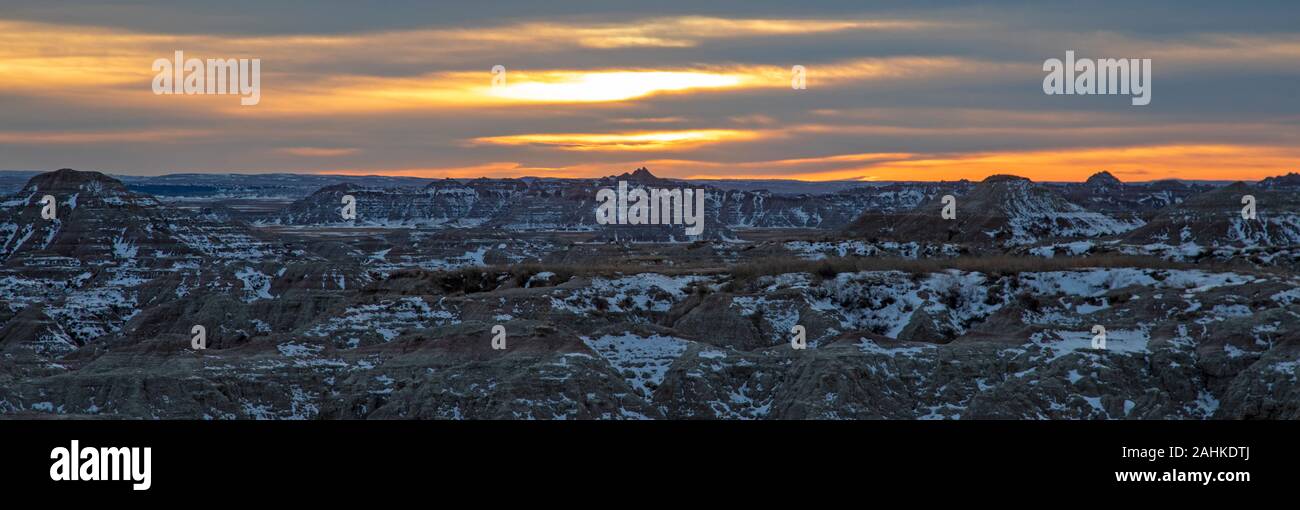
{"points": [[461, 90]]}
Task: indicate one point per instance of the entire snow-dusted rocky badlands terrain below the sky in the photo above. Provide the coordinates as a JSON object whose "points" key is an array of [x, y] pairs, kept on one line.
{"points": [[393, 314]]}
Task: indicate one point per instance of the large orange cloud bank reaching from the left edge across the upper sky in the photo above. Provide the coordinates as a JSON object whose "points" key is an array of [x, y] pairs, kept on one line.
{"points": [[110, 67]]}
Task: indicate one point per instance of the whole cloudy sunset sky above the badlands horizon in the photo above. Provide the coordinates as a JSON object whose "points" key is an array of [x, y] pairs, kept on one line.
{"points": [[900, 90]]}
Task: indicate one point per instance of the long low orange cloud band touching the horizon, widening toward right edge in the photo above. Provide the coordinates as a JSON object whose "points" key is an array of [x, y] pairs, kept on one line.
{"points": [[1147, 163]]}
